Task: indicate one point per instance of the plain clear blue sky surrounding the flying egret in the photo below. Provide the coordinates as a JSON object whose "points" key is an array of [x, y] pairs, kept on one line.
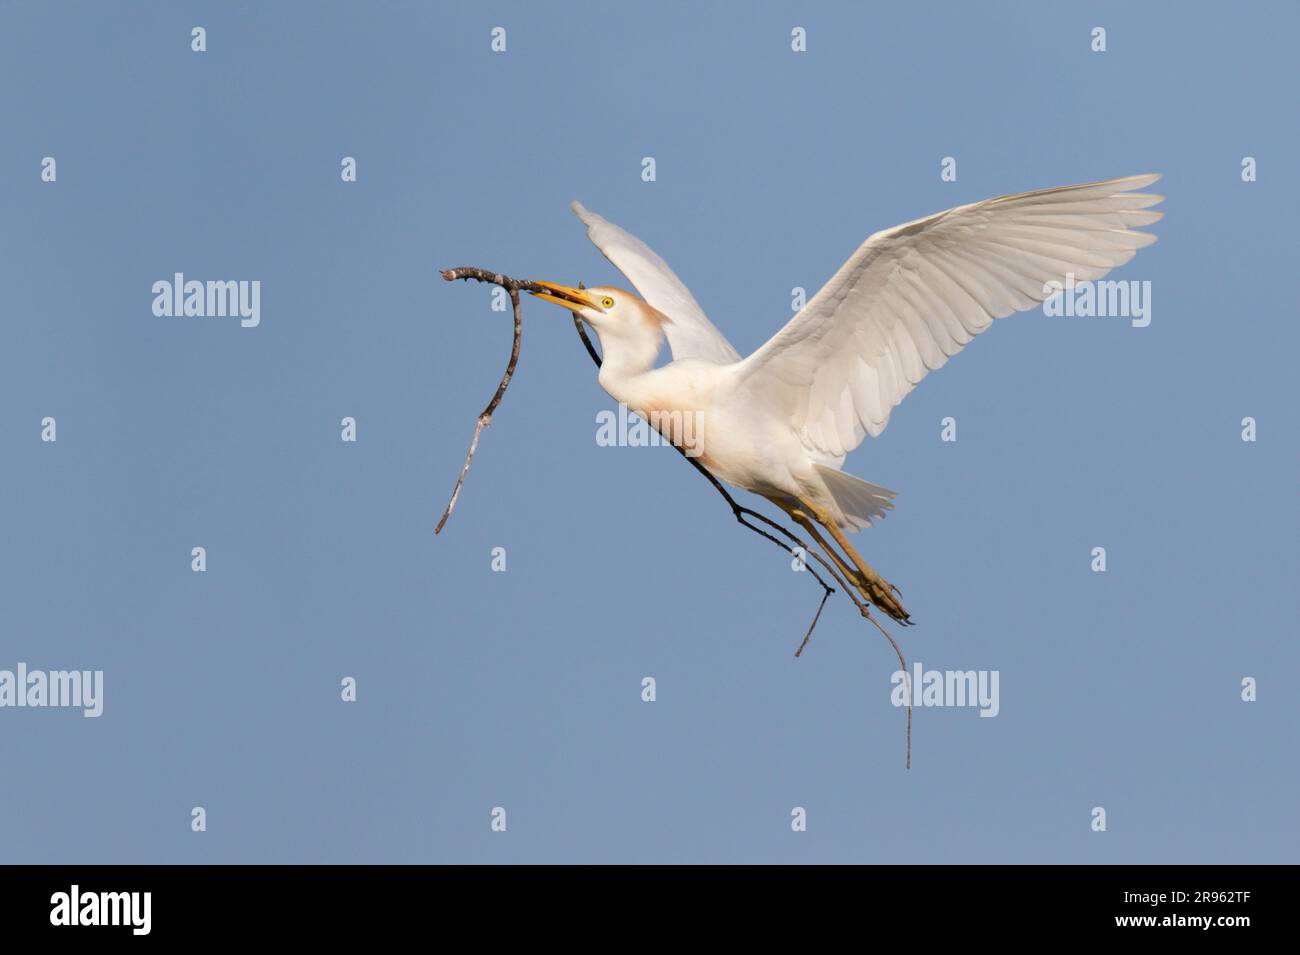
{"points": [[522, 689]]}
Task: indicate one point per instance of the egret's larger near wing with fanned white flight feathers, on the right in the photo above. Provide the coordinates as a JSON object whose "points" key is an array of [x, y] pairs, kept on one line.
{"points": [[915, 296]]}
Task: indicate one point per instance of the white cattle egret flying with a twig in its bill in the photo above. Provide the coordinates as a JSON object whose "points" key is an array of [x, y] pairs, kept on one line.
{"points": [[781, 422]]}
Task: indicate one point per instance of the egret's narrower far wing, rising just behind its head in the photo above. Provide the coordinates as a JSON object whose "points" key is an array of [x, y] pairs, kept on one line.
{"points": [[691, 335]]}
